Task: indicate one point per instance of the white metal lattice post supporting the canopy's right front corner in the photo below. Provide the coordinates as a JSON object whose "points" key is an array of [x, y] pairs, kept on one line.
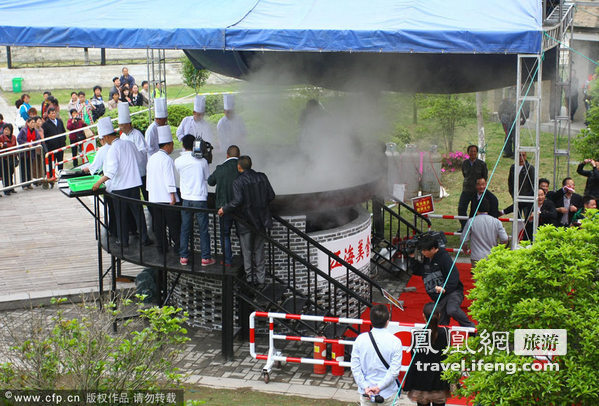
{"points": [[528, 90]]}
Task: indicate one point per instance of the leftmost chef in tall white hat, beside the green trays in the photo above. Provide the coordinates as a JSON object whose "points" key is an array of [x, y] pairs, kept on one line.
{"points": [[121, 175]]}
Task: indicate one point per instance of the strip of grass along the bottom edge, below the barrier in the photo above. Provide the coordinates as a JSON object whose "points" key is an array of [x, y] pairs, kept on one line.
{"points": [[248, 397]]}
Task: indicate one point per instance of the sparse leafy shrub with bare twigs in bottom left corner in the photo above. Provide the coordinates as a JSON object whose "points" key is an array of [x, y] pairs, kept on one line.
{"points": [[82, 352]]}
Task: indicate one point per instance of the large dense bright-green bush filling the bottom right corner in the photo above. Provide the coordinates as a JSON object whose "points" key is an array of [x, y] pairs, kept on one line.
{"points": [[551, 284]]}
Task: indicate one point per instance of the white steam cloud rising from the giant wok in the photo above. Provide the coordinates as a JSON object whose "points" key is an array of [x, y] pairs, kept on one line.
{"points": [[338, 145]]}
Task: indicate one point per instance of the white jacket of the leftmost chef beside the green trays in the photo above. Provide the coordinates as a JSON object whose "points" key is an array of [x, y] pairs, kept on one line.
{"points": [[121, 166]]}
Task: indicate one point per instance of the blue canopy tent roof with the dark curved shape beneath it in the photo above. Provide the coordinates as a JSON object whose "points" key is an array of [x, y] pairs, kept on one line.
{"points": [[426, 46]]}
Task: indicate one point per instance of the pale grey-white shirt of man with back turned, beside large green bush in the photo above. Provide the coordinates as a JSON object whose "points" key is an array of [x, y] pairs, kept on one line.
{"points": [[483, 235]]}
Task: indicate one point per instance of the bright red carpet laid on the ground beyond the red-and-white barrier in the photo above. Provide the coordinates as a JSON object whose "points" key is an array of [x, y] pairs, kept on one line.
{"points": [[413, 304]]}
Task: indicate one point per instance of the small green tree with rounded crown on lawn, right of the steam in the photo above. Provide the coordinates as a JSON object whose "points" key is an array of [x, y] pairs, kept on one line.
{"points": [[448, 112]]}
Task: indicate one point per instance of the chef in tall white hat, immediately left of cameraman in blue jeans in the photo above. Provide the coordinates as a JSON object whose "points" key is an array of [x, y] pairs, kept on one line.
{"points": [[162, 188]]}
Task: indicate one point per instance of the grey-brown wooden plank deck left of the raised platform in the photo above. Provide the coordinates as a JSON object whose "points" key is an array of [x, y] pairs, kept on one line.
{"points": [[47, 247]]}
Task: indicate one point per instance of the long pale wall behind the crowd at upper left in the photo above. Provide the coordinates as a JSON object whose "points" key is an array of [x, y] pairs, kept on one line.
{"points": [[80, 77]]}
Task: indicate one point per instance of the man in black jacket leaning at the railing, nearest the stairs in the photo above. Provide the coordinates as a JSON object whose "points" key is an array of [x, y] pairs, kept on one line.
{"points": [[252, 193]]}
